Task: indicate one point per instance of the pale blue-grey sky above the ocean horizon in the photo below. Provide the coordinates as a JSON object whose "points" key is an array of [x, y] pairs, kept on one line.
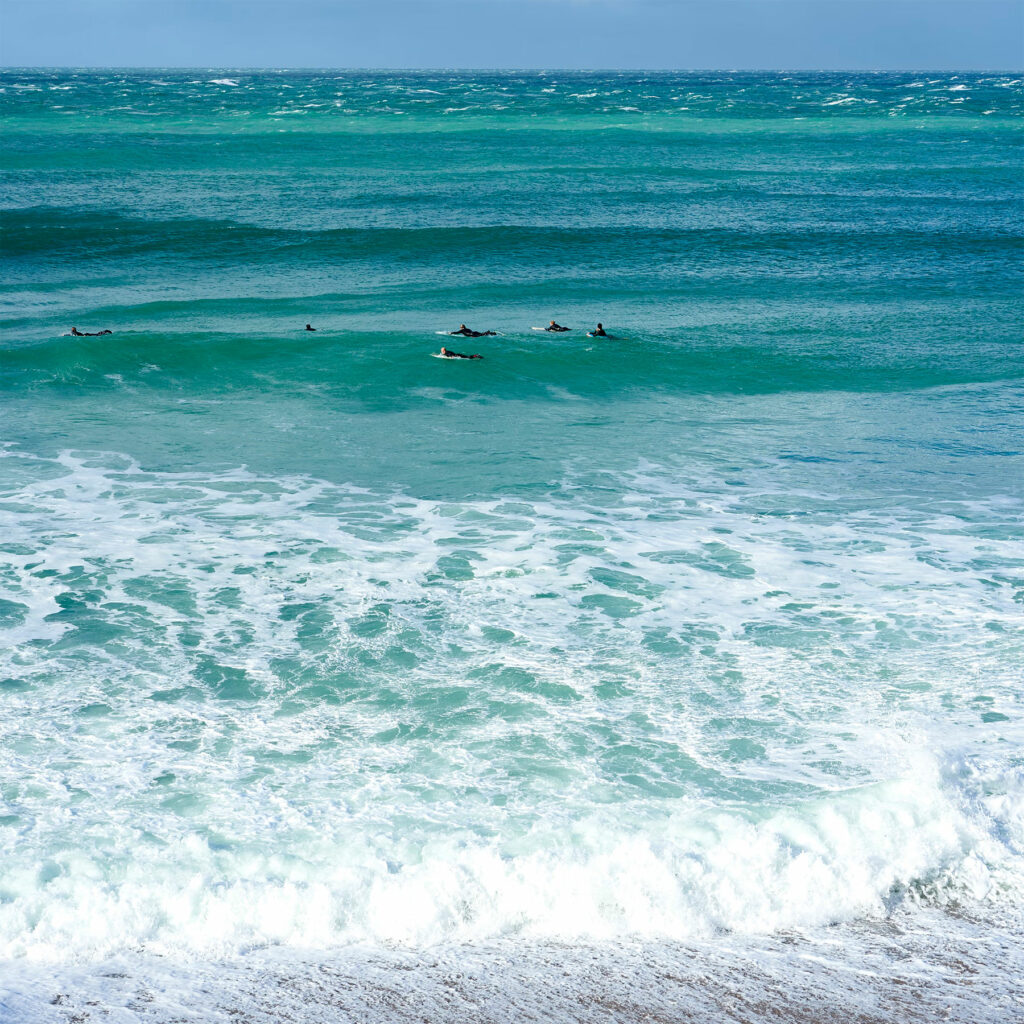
{"points": [[530, 34]]}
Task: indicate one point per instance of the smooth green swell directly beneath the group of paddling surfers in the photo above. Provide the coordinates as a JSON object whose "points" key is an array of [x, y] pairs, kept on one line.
{"points": [[394, 367]]}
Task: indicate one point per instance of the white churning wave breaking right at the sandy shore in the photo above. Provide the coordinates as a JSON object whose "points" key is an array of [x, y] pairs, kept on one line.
{"points": [[704, 873]]}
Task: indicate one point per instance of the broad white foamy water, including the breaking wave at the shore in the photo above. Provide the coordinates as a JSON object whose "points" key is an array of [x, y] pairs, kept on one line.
{"points": [[570, 780]]}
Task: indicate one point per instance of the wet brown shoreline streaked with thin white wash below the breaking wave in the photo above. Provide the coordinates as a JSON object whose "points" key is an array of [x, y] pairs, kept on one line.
{"points": [[919, 966]]}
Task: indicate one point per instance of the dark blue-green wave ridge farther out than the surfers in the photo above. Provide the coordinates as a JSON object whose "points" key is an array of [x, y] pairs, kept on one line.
{"points": [[51, 232]]}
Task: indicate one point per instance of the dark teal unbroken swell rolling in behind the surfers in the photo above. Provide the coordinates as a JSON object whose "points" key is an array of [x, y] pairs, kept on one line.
{"points": [[47, 233]]}
